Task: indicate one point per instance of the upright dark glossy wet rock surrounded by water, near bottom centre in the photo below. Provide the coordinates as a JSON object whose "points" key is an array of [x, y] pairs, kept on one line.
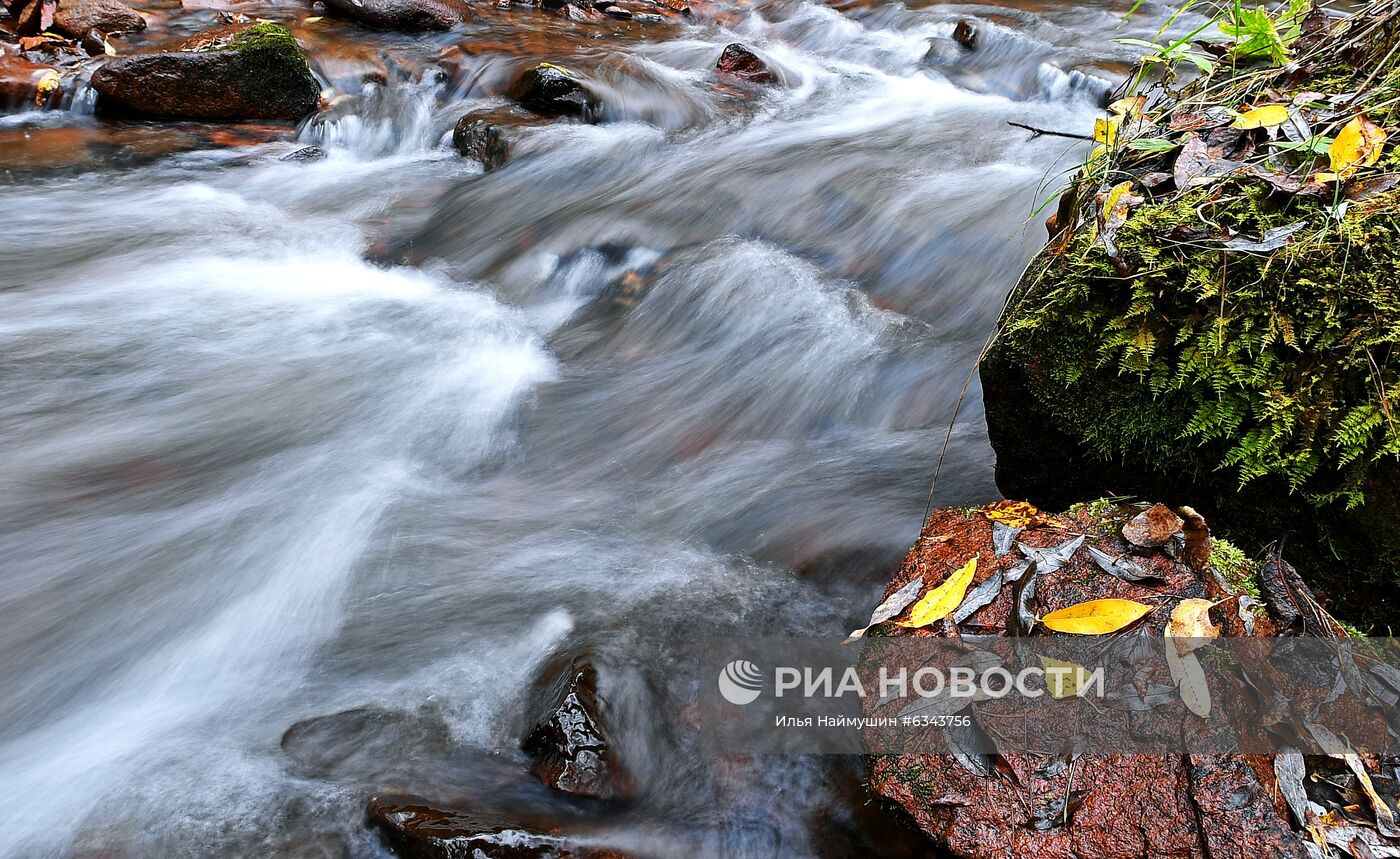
{"points": [[569, 744]]}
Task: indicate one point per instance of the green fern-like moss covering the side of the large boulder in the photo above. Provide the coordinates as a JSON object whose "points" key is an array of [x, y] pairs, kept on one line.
{"points": [[1269, 364]]}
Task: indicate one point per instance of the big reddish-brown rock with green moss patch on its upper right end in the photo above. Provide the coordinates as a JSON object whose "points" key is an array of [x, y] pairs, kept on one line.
{"points": [[241, 72]]}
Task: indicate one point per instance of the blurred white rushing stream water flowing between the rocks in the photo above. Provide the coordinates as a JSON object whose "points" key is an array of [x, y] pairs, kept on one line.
{"points": [[681, 373]]}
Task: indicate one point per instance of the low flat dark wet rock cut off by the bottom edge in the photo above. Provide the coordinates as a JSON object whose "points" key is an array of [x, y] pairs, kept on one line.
{"points": [[419, 830]]}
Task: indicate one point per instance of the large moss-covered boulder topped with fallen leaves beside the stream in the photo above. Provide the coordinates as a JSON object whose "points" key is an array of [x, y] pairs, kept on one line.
{"points": [[1213, 325]]}
